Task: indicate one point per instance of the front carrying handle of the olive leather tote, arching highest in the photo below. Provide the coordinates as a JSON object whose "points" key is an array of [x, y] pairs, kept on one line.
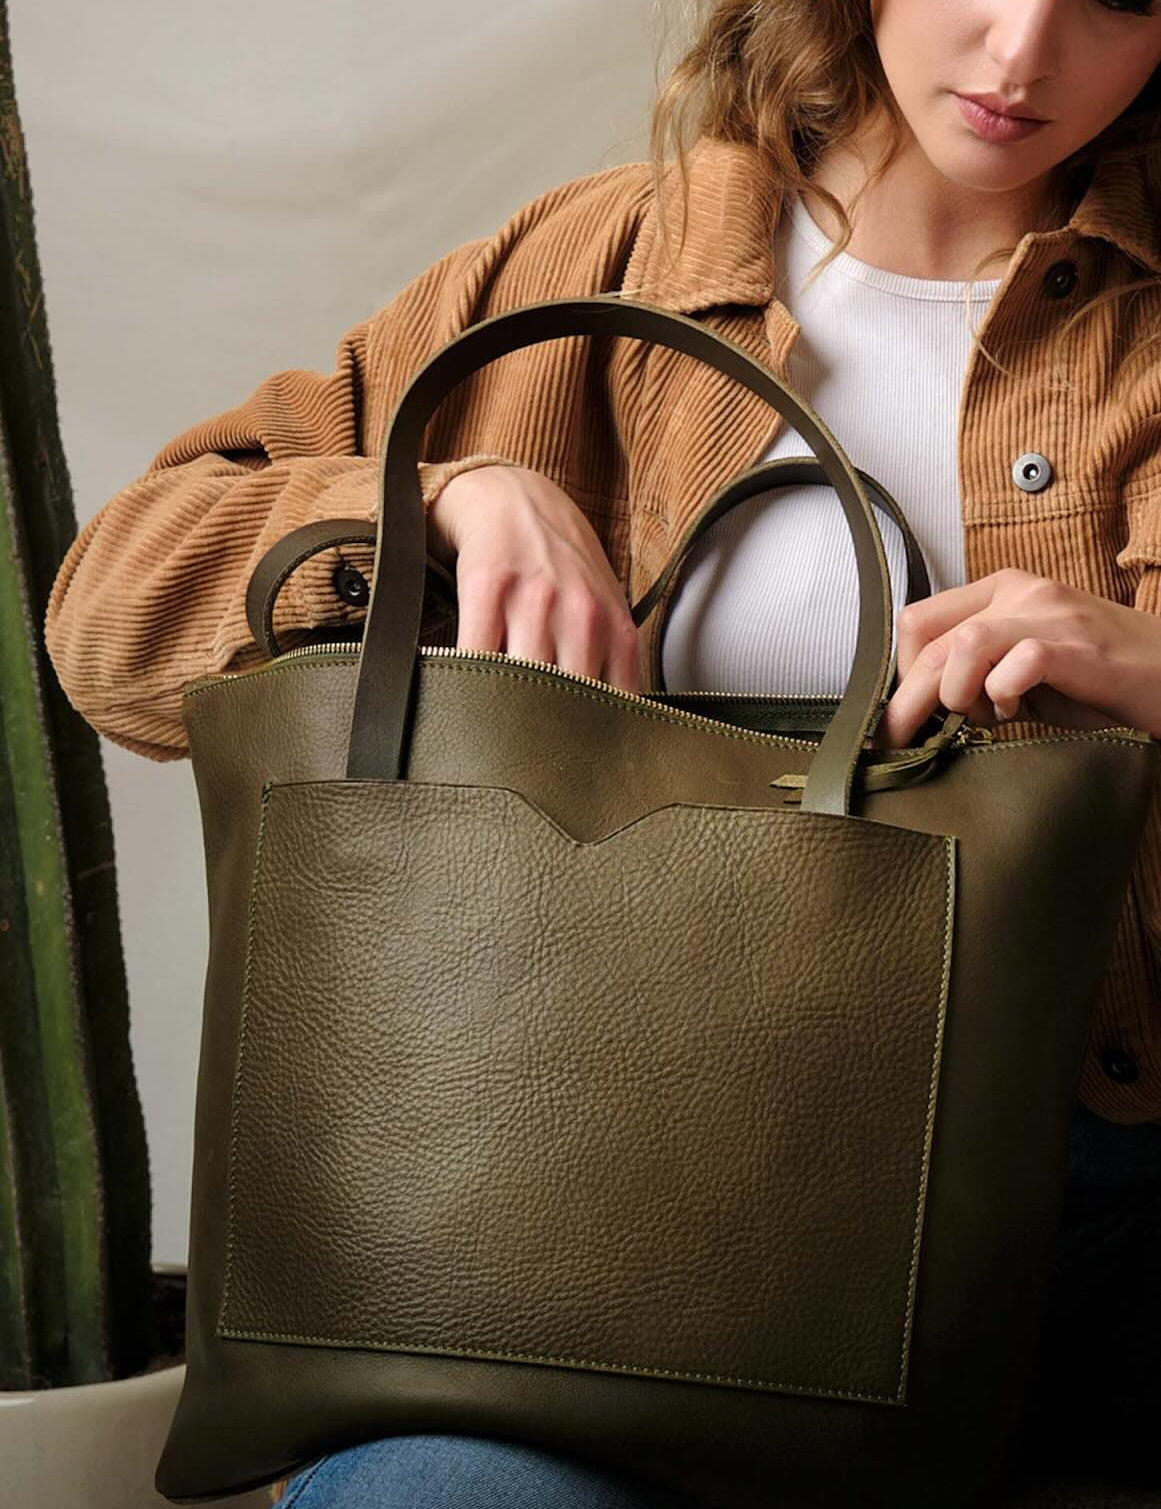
{"points": [[386, 690]]}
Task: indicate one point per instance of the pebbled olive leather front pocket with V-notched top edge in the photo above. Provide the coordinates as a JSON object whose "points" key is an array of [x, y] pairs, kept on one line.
{"points": [[654, 1105]]}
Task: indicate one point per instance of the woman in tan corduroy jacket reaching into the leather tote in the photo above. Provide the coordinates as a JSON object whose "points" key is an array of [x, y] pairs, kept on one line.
{"points": [[1029, 461]]}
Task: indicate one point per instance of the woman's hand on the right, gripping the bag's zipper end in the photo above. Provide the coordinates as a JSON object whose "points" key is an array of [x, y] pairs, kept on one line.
{"points": [[1020, 647]]}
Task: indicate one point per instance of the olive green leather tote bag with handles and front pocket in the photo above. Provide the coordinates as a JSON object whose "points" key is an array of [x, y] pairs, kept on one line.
{"points": [[670, 1081]]}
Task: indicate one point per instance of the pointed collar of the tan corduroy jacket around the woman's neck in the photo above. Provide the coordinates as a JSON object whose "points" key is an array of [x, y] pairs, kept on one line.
{"points": [[730, 247]]}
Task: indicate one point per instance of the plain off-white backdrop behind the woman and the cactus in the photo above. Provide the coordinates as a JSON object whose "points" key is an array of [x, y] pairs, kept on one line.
{"points": [[221, 191]]}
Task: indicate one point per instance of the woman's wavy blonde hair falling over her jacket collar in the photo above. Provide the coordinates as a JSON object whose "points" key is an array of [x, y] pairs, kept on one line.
{"points": [[798, 78]]}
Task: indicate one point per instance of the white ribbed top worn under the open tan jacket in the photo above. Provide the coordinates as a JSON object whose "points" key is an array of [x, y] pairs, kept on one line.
{"points": [[769, 597]]}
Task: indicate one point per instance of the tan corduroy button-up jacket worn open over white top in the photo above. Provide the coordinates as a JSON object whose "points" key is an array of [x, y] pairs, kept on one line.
{"points": [[152, 595]]}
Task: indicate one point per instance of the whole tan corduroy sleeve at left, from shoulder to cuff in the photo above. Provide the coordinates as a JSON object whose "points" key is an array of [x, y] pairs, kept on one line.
{"points": [[152, 595]]}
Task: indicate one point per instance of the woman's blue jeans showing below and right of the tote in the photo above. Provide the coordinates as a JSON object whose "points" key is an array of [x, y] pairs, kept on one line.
{"points": [[1095, 1403]]}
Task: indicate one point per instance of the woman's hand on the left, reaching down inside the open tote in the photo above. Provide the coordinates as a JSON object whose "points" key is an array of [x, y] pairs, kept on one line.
{"points": [[532, 577]]}
